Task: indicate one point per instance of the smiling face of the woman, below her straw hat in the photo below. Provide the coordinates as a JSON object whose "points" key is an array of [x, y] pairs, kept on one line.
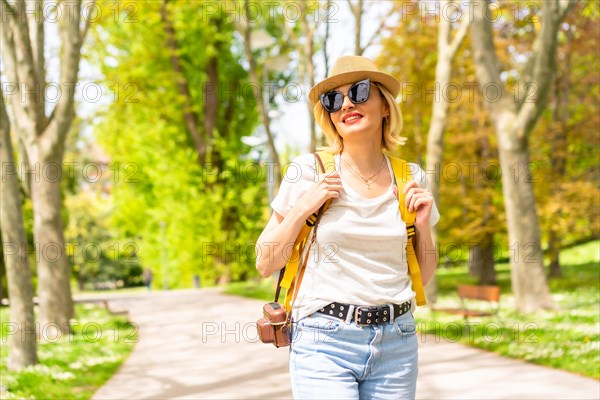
{"points": [[359, 120]]}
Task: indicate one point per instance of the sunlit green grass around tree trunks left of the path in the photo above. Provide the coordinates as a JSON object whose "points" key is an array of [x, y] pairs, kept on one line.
{"points": [[71, 366]]}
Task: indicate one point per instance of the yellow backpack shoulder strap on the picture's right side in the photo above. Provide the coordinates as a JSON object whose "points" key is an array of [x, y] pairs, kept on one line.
{"points": [[403, 175]]}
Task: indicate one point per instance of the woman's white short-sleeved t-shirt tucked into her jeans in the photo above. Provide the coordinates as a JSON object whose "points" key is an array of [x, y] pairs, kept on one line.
{"points": [[359, 254]]}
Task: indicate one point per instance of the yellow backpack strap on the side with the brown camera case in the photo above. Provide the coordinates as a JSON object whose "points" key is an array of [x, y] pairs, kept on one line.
{"points": [[291, 269]]}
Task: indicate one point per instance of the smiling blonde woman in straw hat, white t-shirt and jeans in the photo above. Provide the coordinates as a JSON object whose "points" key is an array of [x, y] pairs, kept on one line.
{"points": [[358, 258]]}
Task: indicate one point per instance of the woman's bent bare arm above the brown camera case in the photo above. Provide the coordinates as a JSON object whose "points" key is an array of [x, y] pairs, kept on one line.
{"points": [[273, 247]]}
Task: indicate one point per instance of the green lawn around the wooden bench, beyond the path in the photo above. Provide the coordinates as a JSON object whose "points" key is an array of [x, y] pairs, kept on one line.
{"points": [[567, 338]]}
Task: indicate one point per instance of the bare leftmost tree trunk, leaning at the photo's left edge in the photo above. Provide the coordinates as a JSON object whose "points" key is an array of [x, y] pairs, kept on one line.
{"points": [[22, 338]]}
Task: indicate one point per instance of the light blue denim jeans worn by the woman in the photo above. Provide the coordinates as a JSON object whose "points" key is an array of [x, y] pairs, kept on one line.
{"points": [[330, 359]]}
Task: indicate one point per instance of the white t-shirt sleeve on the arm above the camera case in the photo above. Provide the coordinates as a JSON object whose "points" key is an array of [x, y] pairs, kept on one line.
{"points": [[299, 176]]}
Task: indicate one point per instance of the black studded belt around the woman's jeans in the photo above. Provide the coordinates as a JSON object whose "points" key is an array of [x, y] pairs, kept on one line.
{"points": [[366, 315]]}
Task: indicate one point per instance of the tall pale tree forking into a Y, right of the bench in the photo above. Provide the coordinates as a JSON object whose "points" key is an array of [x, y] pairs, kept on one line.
{"points": [[513, 121]]}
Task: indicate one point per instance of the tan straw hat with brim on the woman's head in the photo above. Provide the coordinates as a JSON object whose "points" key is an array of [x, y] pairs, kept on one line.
{"points": [[351, 69]]}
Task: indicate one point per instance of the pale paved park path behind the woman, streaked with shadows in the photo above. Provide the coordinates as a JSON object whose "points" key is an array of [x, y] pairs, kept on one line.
{"points": [[202, 344]]}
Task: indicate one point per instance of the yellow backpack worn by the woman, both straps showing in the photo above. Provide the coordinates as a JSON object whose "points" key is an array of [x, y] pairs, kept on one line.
{"points": [[291, 277]]}
